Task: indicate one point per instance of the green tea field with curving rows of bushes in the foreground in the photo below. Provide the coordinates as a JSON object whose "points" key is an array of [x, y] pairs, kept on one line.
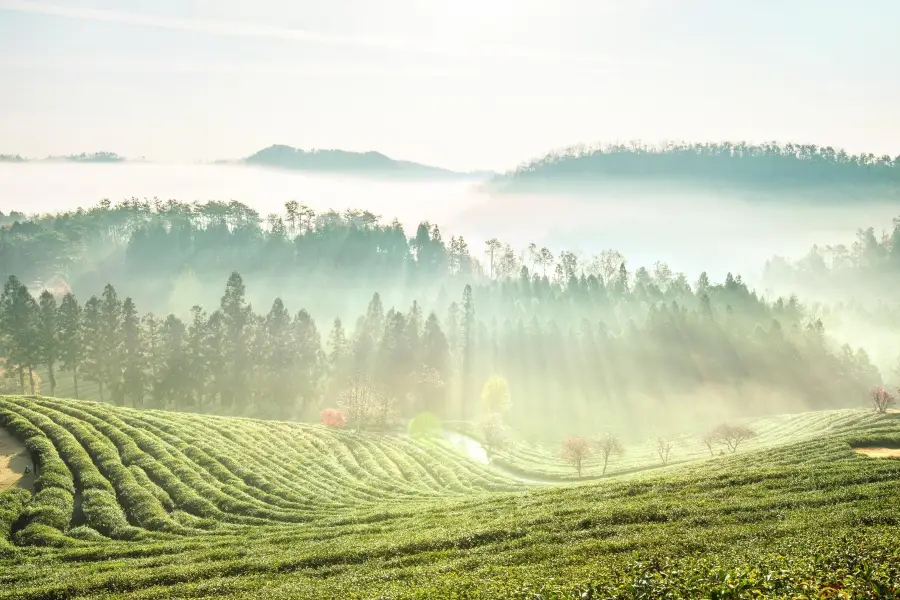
{"points": [[149, 504]]}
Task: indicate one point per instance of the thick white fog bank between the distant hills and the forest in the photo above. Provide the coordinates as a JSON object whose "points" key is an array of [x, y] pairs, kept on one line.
{"points": [[693, 232]]}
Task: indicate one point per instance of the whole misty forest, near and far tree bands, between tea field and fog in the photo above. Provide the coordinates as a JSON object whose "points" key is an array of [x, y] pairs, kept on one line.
{"points": [[580, 340]]}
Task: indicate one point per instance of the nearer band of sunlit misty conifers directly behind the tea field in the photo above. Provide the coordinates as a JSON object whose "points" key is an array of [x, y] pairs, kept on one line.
{"points": [[630, 351]]}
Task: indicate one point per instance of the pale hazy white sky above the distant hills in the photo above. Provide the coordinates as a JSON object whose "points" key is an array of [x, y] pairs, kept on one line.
{"points": [[461, 83]]}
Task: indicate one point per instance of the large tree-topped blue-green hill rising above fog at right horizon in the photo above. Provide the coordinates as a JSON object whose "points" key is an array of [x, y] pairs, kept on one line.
{"points": [[770, 165]]}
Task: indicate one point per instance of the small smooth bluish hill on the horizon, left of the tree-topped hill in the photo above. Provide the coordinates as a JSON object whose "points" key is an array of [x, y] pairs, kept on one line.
{"points": [[344, 161]]}
